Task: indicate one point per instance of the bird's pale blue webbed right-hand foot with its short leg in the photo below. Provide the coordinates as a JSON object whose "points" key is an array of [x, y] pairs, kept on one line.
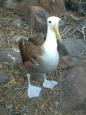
{"points": [[49, 83]]}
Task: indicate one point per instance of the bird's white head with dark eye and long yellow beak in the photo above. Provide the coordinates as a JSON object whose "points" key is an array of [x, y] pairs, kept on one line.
{"points": [[53, 24]]}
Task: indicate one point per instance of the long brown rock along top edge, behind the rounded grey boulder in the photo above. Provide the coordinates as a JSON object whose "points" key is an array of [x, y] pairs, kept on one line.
{"points": [[50, 6]]}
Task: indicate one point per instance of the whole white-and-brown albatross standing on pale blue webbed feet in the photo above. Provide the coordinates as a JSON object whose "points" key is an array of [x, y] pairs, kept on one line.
{"points": [[41, 59]]}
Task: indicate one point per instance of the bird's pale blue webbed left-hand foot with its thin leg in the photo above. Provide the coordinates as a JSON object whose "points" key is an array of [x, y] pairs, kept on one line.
{"points": [[33, 91]]}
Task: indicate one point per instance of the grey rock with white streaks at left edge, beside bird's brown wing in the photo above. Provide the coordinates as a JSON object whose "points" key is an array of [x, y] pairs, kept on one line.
{"points": [[11, 56]]}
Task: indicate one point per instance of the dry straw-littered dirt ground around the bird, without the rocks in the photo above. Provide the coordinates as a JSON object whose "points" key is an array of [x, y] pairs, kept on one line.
{"points": [[13, 94]]}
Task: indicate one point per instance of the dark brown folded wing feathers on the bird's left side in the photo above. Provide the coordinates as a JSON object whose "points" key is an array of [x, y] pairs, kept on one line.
{"points": [[29, 51]]}
